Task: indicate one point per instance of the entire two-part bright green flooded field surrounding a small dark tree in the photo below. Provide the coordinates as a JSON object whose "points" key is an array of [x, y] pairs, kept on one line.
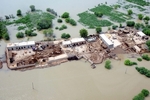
{"points": [[89, 19]]}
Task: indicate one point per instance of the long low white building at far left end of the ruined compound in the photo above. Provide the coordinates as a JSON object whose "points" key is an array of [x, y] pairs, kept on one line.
{"points": [[20, 45]]}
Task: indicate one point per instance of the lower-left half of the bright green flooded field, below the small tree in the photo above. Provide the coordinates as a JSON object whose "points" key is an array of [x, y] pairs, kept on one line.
{"points": [[91, 20]]}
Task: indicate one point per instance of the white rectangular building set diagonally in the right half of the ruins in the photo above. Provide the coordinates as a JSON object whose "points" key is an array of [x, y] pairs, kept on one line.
{"points": [[106, 41]]}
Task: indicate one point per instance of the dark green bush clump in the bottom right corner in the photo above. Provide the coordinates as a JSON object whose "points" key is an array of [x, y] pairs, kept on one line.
{"points": [[141, 96]]}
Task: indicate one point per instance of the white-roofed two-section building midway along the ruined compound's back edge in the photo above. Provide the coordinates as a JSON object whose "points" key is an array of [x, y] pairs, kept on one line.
{"points": [[73, 41]]}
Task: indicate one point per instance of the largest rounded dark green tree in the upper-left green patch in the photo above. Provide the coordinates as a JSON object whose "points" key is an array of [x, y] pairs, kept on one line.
{"points": [[44, 24]]}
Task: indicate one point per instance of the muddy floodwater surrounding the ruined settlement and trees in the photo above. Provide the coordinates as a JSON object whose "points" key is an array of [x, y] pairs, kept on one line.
{"points": [[74, 80]]}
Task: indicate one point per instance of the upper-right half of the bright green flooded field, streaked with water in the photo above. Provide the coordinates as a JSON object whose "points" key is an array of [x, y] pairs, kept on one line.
{"points": [[113, 15]]}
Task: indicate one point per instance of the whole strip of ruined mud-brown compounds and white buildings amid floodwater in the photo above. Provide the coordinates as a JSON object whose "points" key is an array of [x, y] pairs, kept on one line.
{"points": [[94, 48]]}
